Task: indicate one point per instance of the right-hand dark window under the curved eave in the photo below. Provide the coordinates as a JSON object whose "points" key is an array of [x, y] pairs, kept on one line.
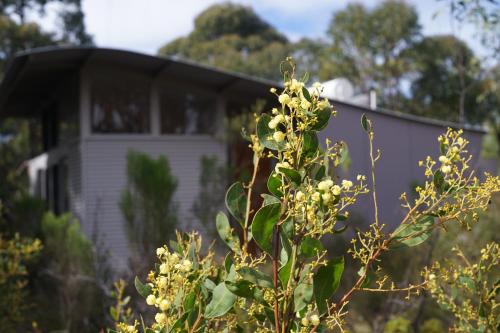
{"points": [[185, 112]]}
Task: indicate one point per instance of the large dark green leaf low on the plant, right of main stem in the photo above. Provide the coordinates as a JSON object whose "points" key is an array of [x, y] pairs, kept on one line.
{"points": [[326, 281]]}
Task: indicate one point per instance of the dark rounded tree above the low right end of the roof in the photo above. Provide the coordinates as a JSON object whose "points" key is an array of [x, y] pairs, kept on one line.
{"points": [[445, 79]]}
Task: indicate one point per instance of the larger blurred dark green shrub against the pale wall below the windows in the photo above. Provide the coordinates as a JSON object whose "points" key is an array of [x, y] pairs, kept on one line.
{"points": [[147, 202]]}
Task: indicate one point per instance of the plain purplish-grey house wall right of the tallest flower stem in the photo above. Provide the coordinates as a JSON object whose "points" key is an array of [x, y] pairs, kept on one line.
{"points": [[403, 142]]}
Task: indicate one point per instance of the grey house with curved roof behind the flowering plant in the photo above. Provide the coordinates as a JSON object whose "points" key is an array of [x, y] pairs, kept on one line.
{"points": [[94, 104]]}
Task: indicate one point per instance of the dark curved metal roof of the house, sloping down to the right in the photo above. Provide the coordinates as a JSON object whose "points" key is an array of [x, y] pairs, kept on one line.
{"points": [[32, 74]]}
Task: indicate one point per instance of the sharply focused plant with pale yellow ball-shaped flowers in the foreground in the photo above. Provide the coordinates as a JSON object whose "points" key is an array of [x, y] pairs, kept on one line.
{"points": [[304, 203]]}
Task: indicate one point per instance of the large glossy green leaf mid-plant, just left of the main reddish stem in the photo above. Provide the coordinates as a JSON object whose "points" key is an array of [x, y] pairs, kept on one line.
{"points": [[263, 223]]}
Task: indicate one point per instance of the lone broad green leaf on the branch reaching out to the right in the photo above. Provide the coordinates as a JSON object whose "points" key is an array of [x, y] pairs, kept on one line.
{"points": [[412, 234]]}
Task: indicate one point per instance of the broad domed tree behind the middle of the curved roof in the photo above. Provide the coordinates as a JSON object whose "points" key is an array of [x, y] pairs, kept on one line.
{"points": [[232, 37]]}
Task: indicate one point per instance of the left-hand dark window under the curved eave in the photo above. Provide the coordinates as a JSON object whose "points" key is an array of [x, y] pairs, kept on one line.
{"points": [[119, 105]]}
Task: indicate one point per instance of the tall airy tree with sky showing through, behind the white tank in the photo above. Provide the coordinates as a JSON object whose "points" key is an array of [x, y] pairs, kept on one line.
{"points": [[366, 47]]}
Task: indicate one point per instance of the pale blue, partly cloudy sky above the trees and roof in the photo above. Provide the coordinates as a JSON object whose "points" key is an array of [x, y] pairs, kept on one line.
{"points": [[145, 25]]}
